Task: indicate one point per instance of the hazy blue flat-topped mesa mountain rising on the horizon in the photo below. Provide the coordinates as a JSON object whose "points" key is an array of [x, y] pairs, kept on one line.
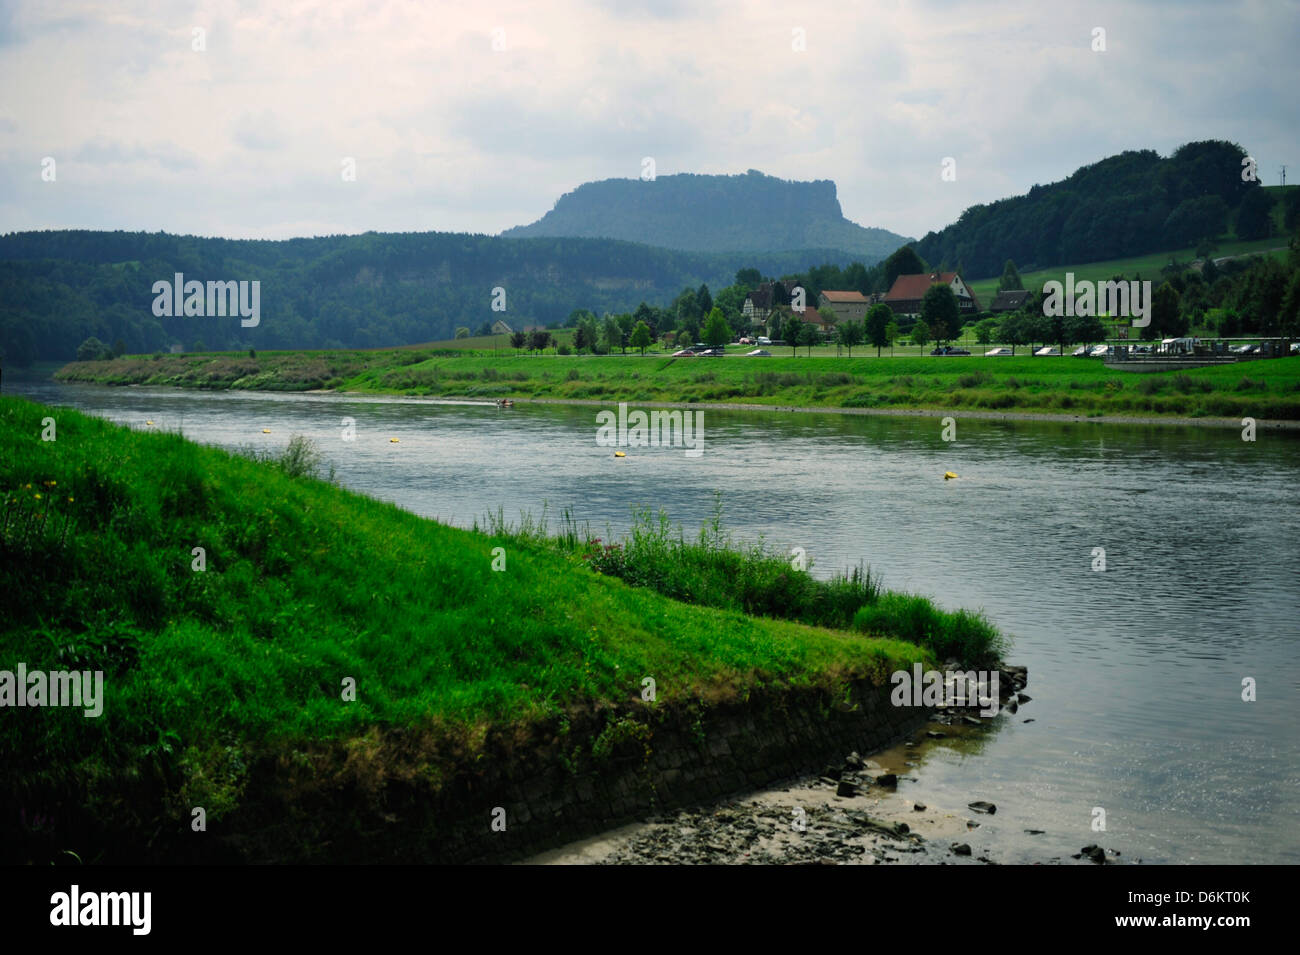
{"points": [[713, 214]]}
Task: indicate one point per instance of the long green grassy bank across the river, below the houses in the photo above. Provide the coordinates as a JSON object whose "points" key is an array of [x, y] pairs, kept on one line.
{"points": [[1267, 390]]}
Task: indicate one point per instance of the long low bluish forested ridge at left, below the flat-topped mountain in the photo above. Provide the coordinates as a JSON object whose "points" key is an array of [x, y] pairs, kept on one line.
{"points": [[345, 292]]}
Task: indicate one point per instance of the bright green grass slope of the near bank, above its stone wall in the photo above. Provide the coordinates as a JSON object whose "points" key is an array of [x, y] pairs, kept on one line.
{"points": [[227, 684]]}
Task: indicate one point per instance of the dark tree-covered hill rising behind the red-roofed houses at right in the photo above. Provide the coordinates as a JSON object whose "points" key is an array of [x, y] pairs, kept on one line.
{"points": [[1130, 205]]}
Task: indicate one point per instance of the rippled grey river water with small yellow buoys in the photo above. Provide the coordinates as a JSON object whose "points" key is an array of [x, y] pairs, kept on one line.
{"points": [[1137, 672]]}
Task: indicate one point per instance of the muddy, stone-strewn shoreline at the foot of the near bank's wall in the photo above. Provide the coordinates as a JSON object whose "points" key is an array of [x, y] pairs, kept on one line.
{"points": [[859, 811]]}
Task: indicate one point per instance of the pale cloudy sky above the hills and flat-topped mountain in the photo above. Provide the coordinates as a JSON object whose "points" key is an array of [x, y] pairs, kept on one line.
{"points": [[240, 119]]}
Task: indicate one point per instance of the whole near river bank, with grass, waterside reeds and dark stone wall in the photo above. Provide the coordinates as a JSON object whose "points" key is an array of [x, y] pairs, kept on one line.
{"points": [[278, 658]]}
